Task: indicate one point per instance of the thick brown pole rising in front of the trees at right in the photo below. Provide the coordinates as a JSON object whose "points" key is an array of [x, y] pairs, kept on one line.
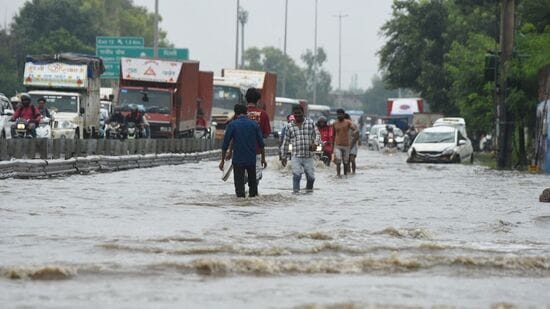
{"points": [[504, 116]]}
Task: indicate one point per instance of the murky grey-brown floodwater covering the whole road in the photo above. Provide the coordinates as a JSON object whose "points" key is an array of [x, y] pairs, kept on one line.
{"points": [[394, 234]]}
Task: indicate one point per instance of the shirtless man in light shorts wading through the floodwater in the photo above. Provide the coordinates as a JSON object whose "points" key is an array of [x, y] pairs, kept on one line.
{"points": [[342, 141]]}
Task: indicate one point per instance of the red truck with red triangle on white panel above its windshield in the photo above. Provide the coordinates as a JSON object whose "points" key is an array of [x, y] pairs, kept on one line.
{"points": [[170, 92]]}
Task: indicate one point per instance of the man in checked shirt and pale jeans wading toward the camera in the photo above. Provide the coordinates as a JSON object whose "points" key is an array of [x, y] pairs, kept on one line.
{"points": [[304, 137]]}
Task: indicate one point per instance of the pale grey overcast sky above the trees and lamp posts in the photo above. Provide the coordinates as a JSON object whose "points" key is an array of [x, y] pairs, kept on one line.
{"points": [[207, 28]]}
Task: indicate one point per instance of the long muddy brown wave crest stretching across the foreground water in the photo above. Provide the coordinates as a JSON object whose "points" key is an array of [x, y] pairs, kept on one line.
{"points": [[255, 266]]}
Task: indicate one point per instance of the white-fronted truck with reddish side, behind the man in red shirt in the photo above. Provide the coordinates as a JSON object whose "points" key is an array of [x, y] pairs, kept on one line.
{"points": [[230, 88]]}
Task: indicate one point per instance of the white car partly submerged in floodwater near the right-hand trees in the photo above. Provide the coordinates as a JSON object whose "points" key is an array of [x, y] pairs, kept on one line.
{"points": [[441, 144]]}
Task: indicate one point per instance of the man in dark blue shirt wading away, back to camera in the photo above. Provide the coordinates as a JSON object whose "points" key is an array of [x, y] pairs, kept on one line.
{"points": [[245, 135]]}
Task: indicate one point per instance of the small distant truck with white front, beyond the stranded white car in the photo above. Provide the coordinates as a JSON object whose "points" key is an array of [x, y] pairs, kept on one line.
{"points": [[400, 111]]}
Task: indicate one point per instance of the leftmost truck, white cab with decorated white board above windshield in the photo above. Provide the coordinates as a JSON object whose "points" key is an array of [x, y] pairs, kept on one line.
{"points": [[70, 83]]}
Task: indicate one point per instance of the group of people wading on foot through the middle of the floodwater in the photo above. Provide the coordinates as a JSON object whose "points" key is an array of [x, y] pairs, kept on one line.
{"points": [[244, 145]]}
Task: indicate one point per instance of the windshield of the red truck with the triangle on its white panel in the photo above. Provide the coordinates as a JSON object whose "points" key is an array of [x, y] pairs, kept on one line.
{"points": [[152, 101]]}
